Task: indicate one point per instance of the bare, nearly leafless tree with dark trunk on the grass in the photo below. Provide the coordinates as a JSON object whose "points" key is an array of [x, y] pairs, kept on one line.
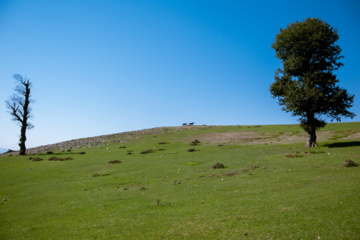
{"points": [[19, 106]]}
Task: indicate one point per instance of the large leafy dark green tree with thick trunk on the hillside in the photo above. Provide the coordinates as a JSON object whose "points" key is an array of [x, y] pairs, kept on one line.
{"points": [[306, 85]]}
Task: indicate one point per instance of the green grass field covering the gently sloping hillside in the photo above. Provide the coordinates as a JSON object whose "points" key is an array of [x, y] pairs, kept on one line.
{"points": [[270, 188]]}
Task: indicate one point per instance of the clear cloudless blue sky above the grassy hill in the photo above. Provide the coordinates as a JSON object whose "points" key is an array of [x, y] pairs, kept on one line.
{"points": [[102, 67]]}
